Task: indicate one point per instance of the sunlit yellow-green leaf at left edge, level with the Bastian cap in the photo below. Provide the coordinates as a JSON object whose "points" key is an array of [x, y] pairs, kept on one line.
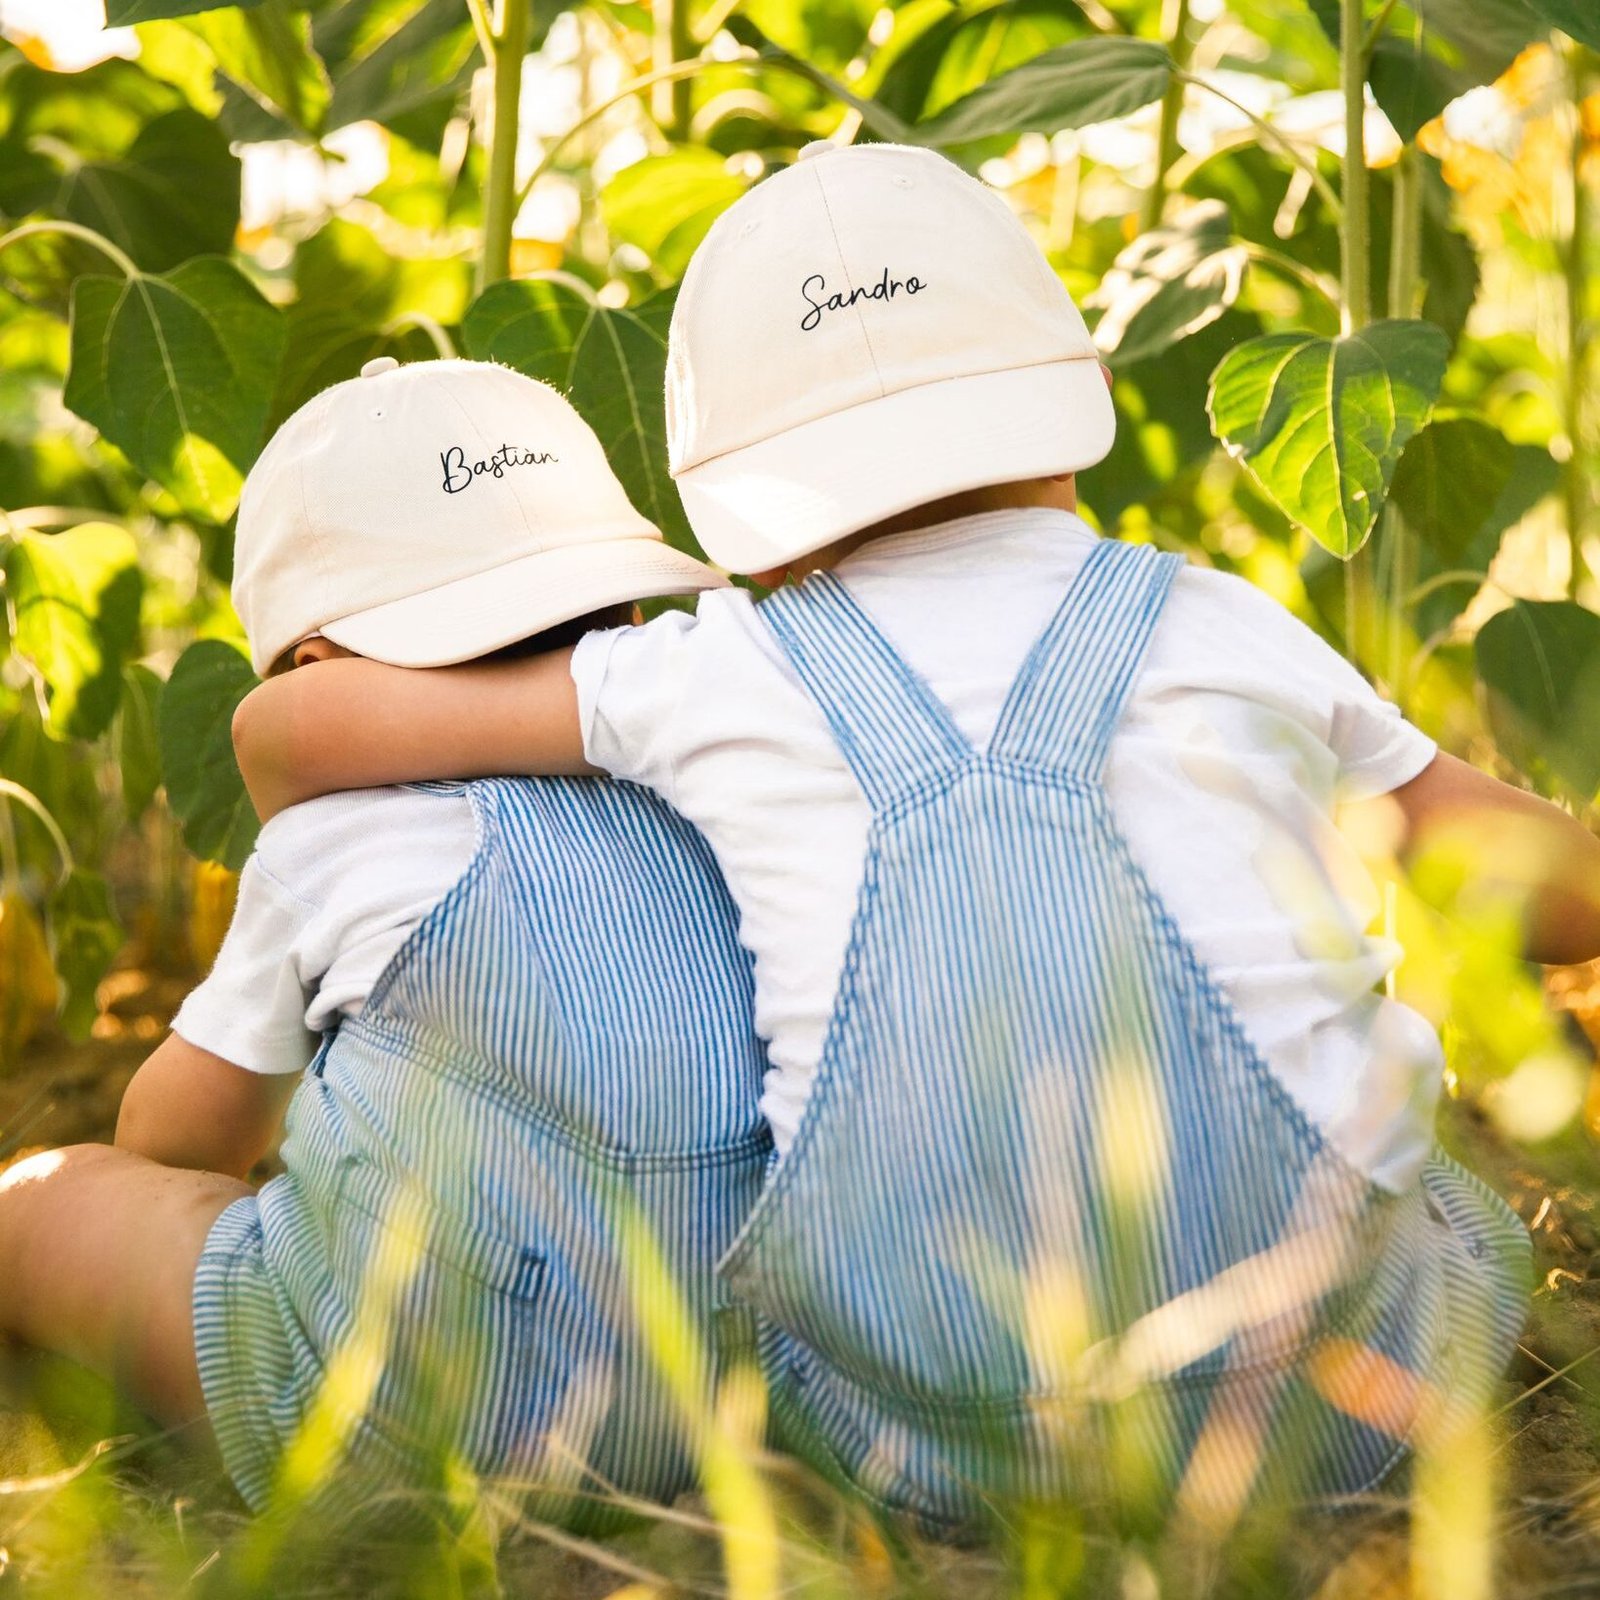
{"points": [[76, 598]]}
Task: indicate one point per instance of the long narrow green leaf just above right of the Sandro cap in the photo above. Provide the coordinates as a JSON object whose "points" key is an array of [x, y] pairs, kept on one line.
{"points": [[1089, 81]]}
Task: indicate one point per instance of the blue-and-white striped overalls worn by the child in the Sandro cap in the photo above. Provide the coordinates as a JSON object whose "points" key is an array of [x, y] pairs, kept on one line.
{"points": [[1049, 1214]]}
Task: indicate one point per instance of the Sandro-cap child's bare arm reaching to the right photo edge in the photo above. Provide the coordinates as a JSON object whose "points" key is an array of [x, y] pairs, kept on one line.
{"points": [[1521, 844]]}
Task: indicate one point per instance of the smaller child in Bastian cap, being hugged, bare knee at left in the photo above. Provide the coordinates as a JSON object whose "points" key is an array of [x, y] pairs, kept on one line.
{"points": [[466, 970]]}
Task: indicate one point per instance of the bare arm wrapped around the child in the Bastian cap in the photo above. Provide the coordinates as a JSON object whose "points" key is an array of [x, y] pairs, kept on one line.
{"points": [[354, 724]]}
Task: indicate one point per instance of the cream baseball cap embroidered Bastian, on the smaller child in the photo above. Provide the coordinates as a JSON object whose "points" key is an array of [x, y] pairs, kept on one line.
{"points": [[433, 513]]}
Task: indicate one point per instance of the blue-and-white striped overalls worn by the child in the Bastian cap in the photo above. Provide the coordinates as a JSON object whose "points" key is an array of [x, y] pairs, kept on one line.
{"points": [[546, 1111]]}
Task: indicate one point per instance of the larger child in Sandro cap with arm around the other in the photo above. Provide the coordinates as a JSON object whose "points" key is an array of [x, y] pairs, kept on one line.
{"points": [[1082, 1074]]}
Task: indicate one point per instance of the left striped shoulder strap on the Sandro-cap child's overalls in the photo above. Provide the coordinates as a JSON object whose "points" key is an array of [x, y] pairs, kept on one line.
{"points": [[890, 727]]}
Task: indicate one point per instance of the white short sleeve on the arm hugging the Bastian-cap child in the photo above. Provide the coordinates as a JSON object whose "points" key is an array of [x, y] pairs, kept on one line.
{"points": [[631, 690]]}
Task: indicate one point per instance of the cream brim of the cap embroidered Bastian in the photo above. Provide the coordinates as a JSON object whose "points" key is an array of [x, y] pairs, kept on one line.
{"points": [[486, 612]]}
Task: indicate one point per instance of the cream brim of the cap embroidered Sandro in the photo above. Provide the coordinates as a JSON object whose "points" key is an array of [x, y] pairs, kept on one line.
{"points": [[770, 503]]}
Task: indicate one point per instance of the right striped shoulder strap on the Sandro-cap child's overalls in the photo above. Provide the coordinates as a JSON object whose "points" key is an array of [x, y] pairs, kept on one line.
{"points": [[1070, 697]]}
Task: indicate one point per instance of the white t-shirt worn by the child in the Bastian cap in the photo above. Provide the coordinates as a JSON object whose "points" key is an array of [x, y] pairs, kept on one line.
{"points": [[334, 890]]}
